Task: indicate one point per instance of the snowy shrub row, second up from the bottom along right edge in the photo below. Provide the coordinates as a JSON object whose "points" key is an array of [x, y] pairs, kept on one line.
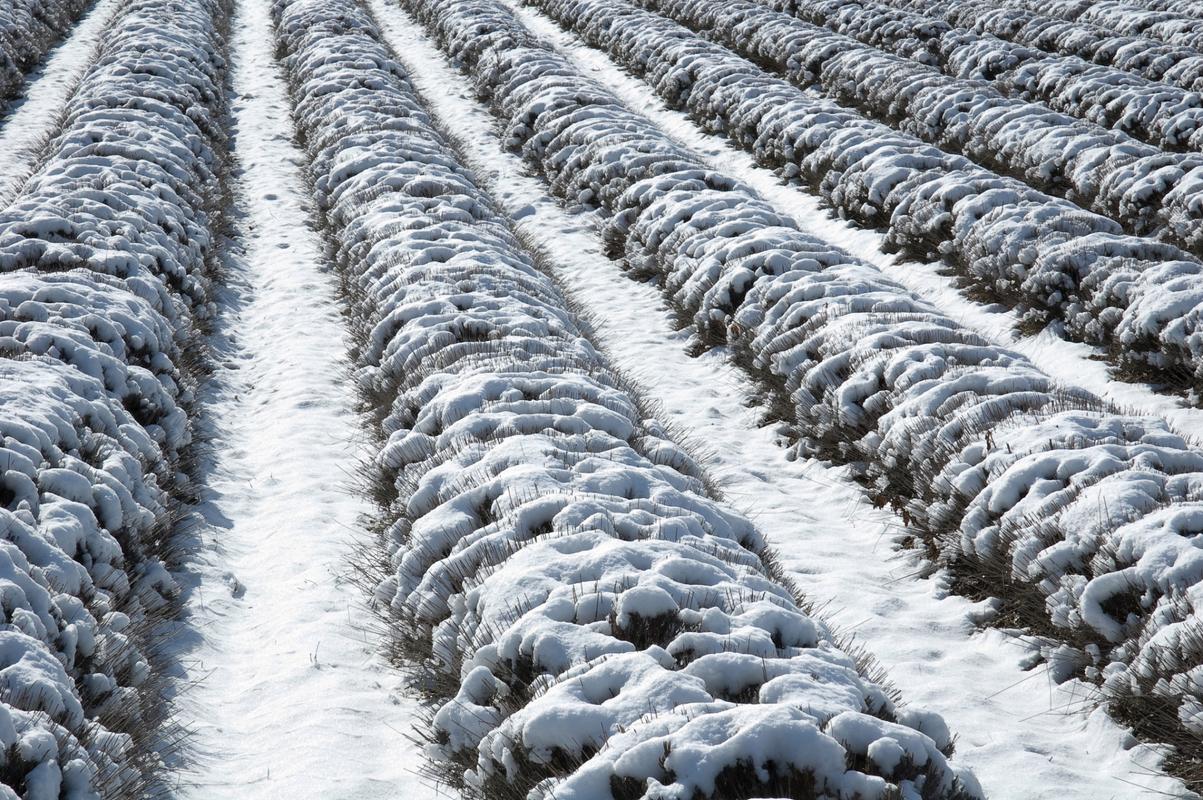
{"points": [[1047, 257]]}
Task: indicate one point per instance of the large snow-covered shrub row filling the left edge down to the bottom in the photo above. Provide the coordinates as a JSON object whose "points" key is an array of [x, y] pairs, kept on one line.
{"points": [[103, 280]]}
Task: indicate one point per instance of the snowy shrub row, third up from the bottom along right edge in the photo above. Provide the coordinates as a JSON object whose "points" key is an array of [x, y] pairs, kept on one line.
{"points": [[1145, 189]]}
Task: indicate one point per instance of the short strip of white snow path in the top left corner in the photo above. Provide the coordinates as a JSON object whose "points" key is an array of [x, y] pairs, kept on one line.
{"points": [[34, 115]]}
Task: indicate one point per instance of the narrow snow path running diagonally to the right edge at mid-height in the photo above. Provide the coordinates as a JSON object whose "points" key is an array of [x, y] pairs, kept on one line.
{"points": [[1054, 355]]}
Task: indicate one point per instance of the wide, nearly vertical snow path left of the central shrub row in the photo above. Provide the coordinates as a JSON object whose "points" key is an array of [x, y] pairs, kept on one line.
{"points": [[292, 698]]}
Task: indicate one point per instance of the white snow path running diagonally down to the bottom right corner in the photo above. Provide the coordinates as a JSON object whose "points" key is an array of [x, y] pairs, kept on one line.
{"points": [[1015, 727]]}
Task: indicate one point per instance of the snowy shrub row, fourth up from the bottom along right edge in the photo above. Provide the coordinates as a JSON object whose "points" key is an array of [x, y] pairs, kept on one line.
{"points": [[1168, 116]]}
